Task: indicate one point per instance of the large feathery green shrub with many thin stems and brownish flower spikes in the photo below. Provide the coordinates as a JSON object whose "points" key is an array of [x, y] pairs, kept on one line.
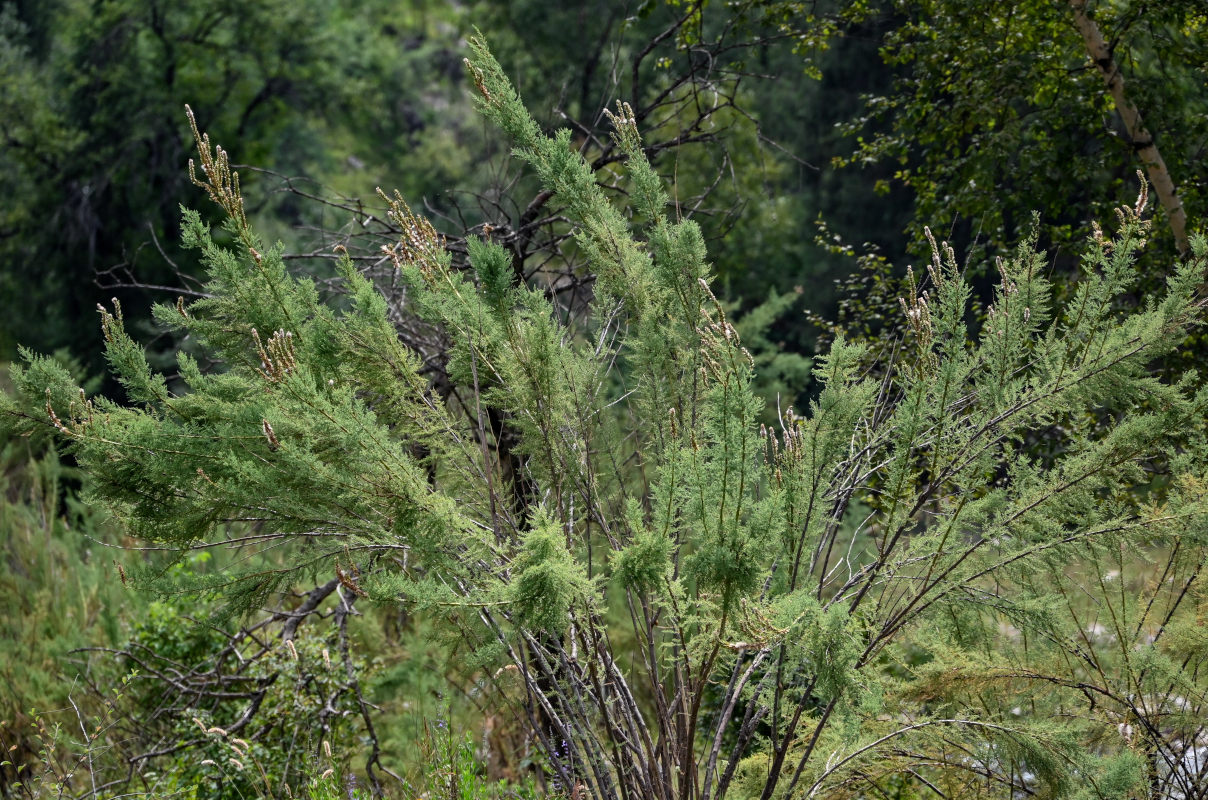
{"points": [[904, 592]]}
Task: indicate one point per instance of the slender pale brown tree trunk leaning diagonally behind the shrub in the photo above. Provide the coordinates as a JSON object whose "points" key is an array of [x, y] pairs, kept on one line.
{"points": [[1142, 140]]}
